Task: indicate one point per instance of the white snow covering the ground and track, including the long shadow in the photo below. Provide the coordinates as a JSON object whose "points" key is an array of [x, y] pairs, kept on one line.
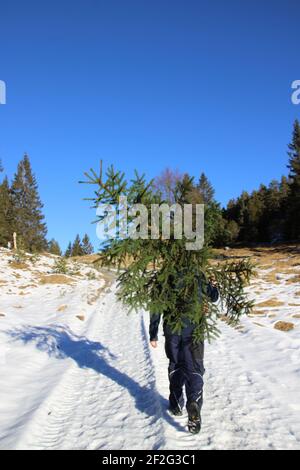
{"points": [[96, 384]]}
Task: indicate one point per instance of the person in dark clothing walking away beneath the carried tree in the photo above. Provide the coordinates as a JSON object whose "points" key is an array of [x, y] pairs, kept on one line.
{"points": [[186, 367]]}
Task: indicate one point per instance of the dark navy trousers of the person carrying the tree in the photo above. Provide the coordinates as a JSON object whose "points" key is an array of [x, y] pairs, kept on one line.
{"points": [[186, 367]]}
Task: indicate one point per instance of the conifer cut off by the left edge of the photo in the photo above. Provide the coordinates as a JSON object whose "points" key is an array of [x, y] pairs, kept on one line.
{"points": [[6, 213]]}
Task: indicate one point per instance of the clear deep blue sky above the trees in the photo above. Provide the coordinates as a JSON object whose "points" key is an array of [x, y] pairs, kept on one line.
{"points": [[197, 85]]}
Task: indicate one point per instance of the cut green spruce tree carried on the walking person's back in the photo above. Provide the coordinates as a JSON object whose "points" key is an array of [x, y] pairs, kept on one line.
{"points": [[159, 274]]}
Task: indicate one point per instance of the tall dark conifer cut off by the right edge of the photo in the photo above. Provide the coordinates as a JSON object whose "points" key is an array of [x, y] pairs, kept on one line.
{"points": [[293, 220]]}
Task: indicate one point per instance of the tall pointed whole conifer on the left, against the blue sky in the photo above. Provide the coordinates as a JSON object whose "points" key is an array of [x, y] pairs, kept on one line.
{"points": [[28, 217]]}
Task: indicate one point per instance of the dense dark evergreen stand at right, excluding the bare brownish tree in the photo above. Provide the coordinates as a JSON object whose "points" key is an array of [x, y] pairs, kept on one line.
{"points": [[271, 213]]}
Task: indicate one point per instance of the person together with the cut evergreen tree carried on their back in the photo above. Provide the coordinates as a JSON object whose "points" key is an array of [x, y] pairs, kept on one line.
{"points": [[161, 276]]}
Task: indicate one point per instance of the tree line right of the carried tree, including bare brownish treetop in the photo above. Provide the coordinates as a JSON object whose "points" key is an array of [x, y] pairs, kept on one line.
{"points": [[267, 215]]}
